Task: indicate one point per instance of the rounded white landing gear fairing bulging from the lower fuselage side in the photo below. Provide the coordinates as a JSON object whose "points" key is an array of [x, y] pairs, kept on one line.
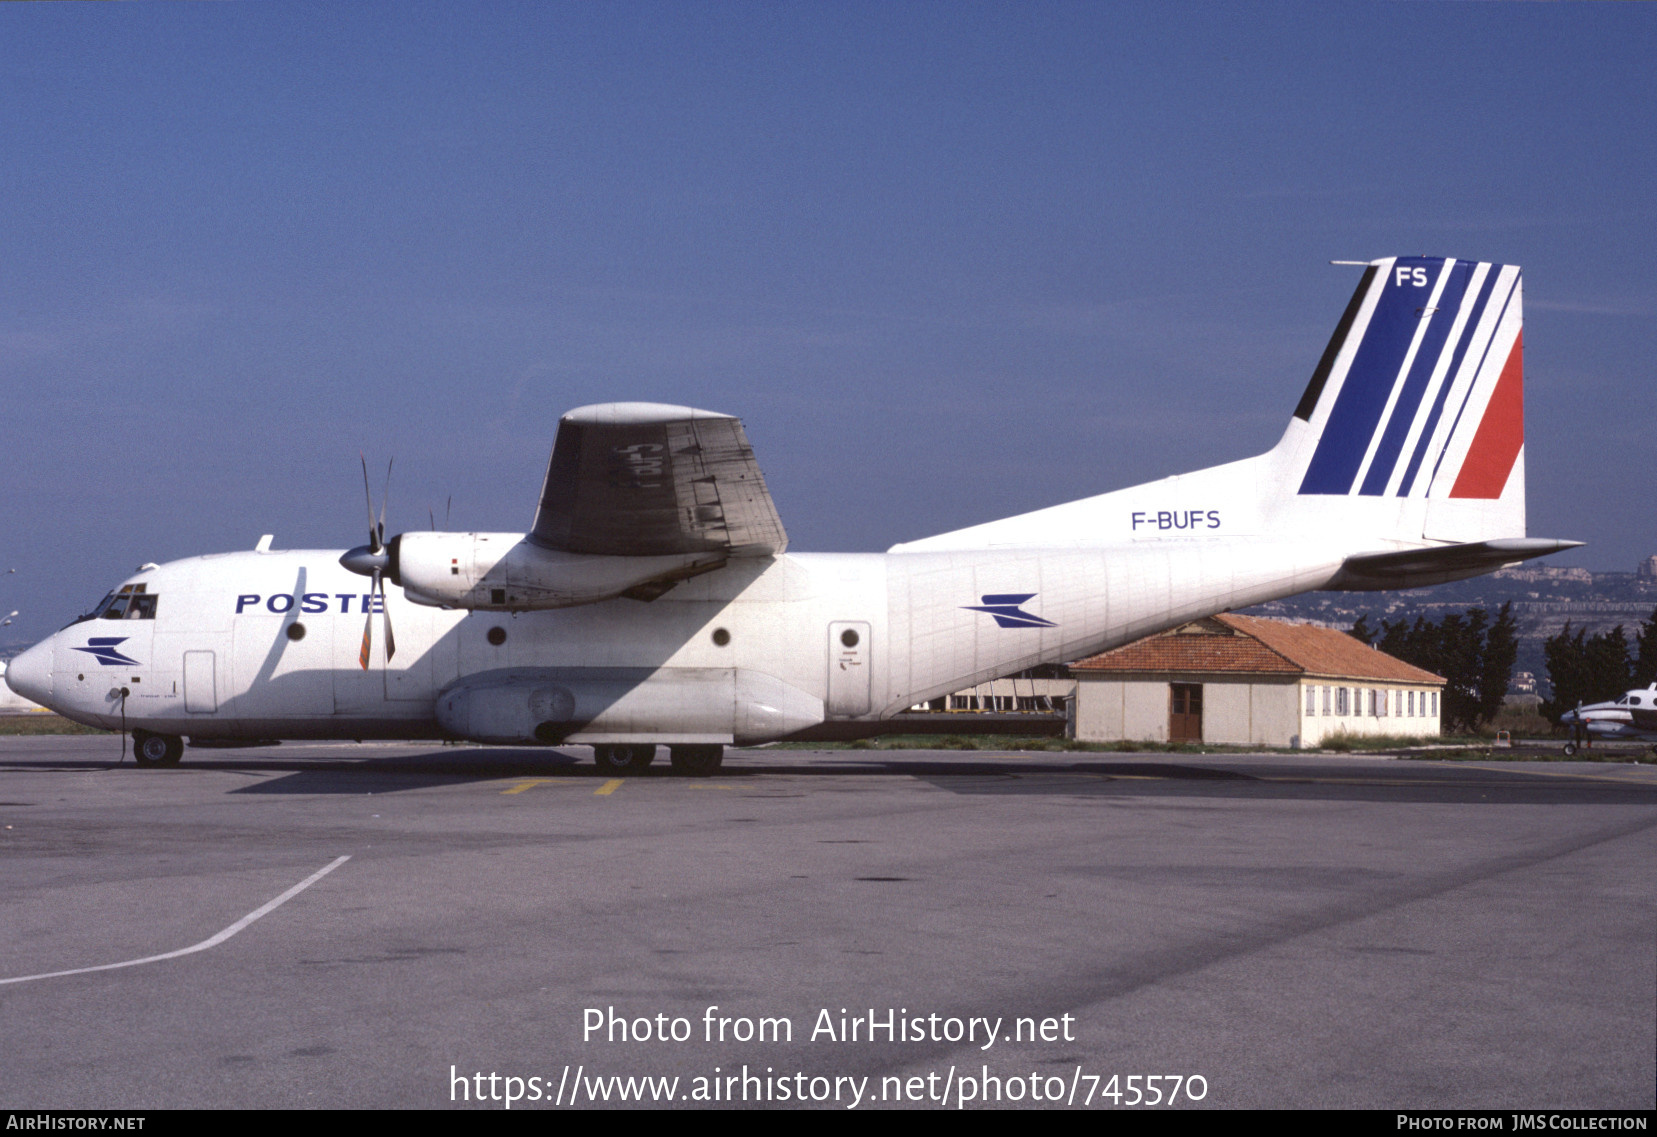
{"points": [[626, 705]]}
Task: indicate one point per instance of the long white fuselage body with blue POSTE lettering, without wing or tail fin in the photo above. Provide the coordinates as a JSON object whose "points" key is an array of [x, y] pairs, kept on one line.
{"points": [[760, 649]]}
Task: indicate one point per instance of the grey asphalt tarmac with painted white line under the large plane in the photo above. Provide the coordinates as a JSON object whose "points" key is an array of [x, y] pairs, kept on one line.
{"points": [[854, 929]]}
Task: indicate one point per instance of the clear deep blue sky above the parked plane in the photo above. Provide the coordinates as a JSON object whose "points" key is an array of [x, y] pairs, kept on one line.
{"points": [[949, 261]]}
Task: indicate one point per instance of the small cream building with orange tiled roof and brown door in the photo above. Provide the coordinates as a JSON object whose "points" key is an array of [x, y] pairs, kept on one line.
{"points": [[1245, 680]]}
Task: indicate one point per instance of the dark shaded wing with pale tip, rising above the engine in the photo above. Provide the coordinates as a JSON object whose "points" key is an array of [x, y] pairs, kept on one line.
{"points": [[642, 480]]}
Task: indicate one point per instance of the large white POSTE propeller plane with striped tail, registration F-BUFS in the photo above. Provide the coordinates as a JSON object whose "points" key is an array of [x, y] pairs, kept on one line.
{"points": [[655, 602]]}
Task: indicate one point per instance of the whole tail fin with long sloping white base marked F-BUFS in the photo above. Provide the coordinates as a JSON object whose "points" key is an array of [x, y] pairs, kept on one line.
{"points": [[1411, 432]]}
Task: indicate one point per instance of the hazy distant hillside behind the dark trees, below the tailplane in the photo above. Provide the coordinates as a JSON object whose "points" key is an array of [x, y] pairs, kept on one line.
{"points": [[1543, 601]]}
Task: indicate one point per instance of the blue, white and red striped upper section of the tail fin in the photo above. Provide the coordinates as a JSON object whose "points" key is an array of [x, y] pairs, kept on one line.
{"points": [[1421, 394]]}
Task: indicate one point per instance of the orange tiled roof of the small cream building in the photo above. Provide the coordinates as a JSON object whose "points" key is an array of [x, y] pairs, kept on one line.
{"points": [[1254, 646]]}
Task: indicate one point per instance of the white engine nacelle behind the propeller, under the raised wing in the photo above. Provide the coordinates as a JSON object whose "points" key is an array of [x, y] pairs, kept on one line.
{"points": [[510, 573]]}
